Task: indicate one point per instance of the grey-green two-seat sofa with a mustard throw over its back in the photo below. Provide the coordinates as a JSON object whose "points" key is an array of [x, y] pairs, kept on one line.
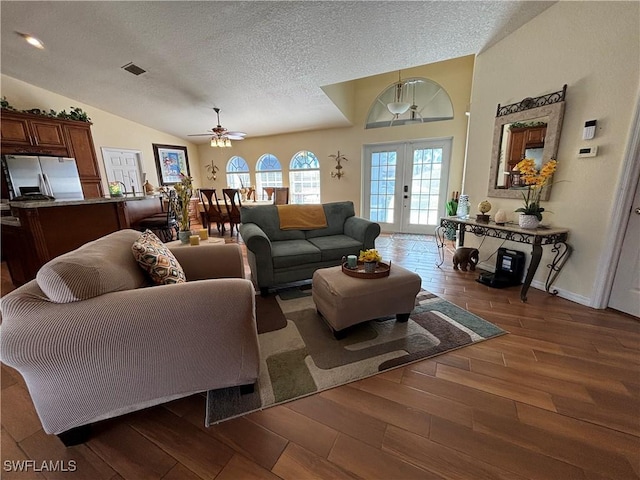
{"points": [[280, 256]]}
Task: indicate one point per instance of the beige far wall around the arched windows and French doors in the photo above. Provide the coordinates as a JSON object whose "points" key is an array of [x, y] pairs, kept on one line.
{"points": [[455, 76]]}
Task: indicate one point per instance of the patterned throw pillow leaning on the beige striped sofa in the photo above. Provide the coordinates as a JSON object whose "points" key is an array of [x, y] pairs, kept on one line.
{"points": [[154, 257]]}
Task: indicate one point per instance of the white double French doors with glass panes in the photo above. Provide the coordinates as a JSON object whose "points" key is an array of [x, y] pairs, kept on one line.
{"points": [[405, 184]]}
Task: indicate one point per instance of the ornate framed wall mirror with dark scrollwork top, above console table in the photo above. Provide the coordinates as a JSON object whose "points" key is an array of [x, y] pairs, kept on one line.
{"points": [[527, 129]]}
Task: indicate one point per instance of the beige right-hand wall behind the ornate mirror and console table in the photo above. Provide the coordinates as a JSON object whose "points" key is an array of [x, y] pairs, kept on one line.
{"points": [[594, 48]]}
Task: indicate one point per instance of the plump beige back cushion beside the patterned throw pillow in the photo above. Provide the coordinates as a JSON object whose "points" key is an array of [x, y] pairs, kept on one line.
{"points": [[98, 267]]}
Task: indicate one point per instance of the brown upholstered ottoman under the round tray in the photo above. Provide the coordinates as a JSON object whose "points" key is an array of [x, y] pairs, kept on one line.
{"points": [[344, 301]]}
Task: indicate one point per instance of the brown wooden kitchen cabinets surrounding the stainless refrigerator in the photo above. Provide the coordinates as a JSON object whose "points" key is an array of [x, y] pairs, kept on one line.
{"points": [[25, 133]]}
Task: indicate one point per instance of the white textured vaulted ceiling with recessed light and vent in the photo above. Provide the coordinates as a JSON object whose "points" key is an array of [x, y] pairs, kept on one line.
{"points": [[262, 63]]}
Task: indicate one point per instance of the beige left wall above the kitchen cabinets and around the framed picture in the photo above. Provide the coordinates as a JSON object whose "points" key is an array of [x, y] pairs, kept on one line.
{"points": [[108, 130]]}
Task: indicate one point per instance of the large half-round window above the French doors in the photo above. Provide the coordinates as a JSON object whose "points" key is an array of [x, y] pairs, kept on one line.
{"points": [[414, 100]]}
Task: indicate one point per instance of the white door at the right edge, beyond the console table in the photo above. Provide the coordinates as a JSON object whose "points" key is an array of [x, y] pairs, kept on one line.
{"points": [[625, 294]]}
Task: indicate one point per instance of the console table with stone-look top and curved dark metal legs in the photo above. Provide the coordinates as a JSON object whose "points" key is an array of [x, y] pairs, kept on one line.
{"points": [[535, 237]]}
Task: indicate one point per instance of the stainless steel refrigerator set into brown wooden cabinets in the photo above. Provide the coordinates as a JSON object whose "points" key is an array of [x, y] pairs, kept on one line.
{"points": [[54, 176]]}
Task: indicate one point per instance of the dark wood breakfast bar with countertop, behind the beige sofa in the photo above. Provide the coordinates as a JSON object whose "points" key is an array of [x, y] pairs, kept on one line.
{"points": [[37, 231]]}
